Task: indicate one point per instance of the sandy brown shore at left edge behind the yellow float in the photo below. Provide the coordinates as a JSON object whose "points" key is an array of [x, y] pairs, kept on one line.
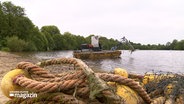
{"points": [[9, 61]]}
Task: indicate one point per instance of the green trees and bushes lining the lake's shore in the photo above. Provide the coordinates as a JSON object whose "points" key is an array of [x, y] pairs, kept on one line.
{"points": [[18, 33]]}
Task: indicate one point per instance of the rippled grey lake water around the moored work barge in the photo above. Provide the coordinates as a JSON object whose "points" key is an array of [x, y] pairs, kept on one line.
{"points": [[140, 61]]}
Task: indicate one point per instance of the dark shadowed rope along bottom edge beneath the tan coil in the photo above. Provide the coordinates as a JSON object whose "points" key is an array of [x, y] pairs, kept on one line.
{"points": [[48, 98]]}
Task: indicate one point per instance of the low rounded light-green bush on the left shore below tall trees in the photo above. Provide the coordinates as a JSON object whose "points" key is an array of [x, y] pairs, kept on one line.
{"points": [[16, 44]]}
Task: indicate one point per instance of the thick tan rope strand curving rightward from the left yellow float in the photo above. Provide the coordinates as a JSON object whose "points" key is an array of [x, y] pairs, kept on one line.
{"points": [[47, 87]]}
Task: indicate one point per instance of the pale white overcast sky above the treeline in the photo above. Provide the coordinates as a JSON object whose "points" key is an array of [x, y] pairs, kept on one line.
{"points": [[140, 21]]}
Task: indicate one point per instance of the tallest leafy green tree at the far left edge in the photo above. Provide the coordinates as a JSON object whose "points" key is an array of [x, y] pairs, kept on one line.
{"points": [[14, 23]]}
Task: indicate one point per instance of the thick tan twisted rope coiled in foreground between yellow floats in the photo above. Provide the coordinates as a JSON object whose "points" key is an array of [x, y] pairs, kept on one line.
{"points": [[86, 81]]}
